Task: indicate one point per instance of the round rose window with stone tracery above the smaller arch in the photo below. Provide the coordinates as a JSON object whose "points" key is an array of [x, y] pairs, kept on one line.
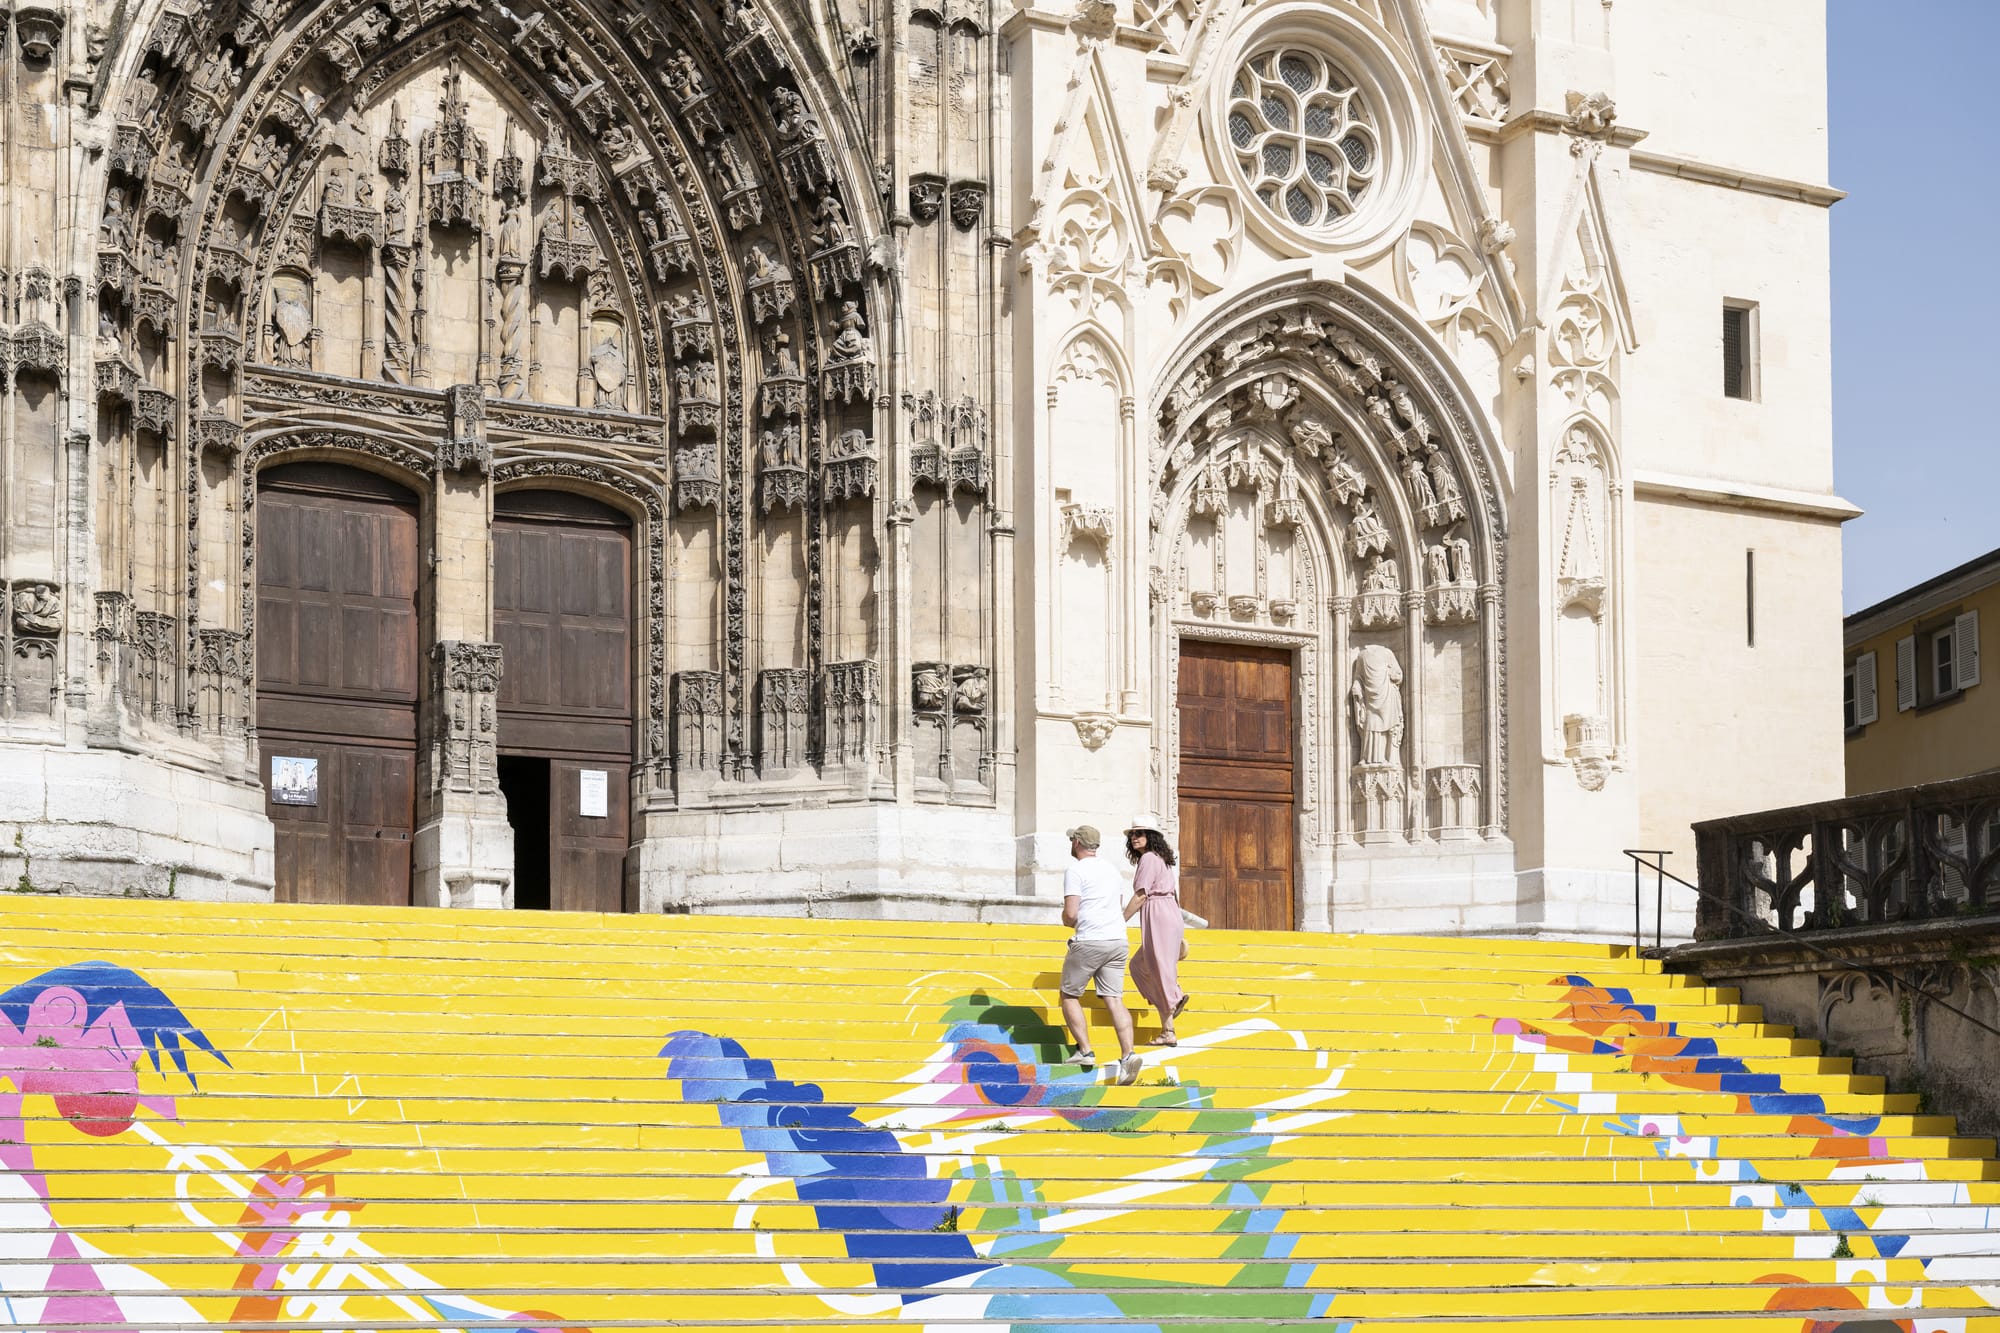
{"points": [[1303, 137]]}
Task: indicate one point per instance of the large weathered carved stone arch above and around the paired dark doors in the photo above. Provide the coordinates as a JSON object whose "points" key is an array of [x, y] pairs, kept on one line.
{"points": [[527, 239]]}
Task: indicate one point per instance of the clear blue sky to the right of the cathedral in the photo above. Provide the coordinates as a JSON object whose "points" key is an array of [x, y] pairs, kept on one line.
{"points": [[1917, 287]]}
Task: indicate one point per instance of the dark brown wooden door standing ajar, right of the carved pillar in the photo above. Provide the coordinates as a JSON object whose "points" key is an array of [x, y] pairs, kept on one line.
{"points": [[563, 615]]}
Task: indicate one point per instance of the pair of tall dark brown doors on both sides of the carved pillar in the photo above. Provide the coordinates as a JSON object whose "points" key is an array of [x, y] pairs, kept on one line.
{"points": [[341, 670]]}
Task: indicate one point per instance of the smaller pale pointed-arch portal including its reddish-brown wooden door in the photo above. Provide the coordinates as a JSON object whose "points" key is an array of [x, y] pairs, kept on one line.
{"points": [[1327, 559]]}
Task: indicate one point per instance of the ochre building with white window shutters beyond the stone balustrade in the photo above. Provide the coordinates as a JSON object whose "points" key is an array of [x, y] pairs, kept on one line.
{"points": [[1913, 704]]}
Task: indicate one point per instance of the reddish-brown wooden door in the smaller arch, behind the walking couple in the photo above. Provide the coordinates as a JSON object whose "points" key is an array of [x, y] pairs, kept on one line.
{"points": [[1237, 786]]}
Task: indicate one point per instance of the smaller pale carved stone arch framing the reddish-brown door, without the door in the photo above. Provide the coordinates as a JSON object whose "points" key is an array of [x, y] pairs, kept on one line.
{"points": [[1317, 415]]}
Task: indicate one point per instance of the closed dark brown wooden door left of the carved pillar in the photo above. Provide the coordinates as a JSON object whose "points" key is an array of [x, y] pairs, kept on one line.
{"points": [[337, 670]]}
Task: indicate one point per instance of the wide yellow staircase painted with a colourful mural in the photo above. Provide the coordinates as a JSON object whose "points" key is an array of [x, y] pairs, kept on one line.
{"points": [[273, 1118]]}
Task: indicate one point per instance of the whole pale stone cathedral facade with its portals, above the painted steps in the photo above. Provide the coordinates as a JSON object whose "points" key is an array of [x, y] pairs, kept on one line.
{"points": [[805, 455]]}
